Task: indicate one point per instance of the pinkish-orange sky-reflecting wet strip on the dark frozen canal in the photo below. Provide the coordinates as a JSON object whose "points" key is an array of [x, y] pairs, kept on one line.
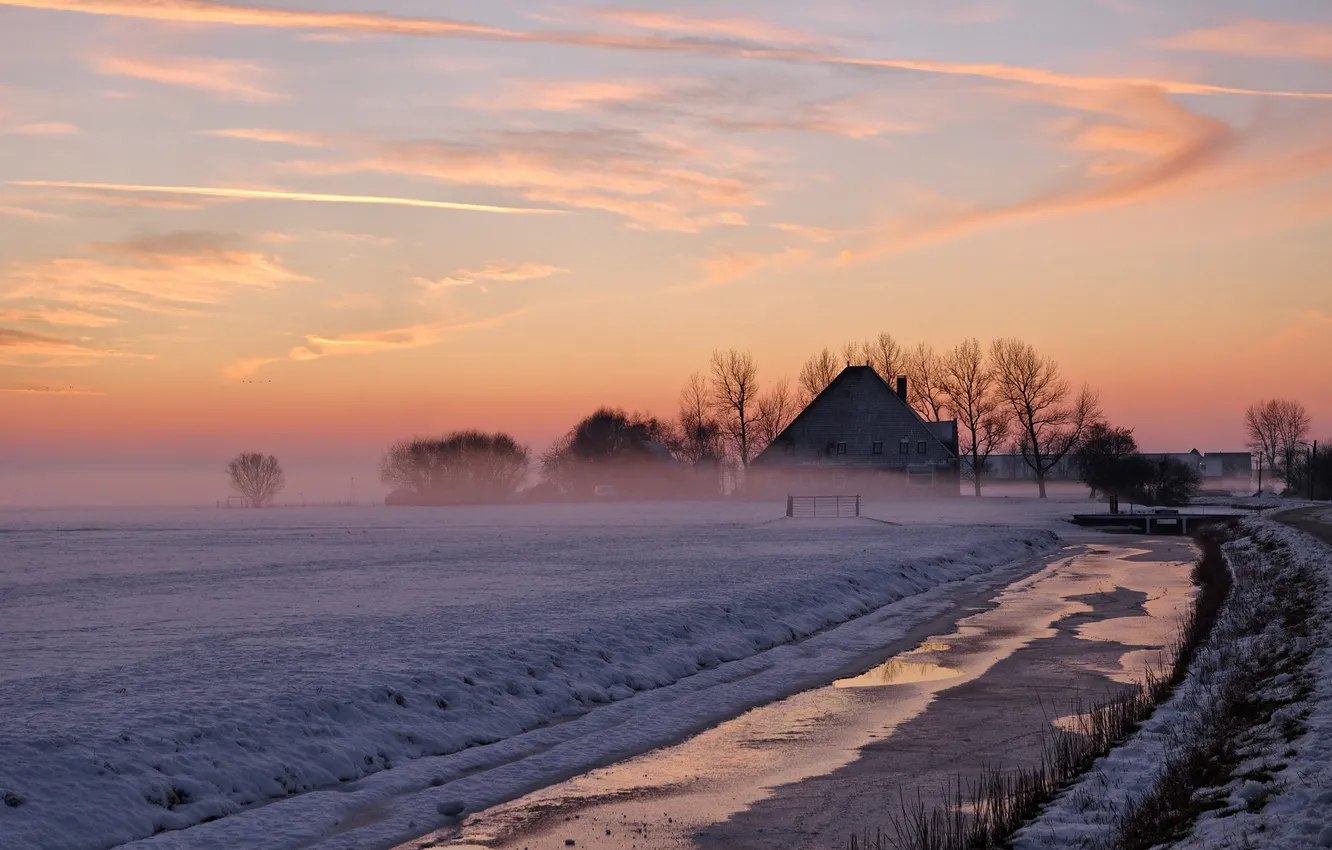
{"points": [[672, 797]]}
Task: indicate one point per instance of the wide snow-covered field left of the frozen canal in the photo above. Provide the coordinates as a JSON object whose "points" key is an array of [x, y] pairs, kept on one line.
{"points": [[162, 669]]}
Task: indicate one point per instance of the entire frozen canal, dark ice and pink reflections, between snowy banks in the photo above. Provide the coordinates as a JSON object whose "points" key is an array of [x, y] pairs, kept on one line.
{"points": [[813, 769]]}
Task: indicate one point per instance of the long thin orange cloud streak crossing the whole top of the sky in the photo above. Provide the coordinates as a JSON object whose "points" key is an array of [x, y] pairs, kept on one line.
{"points": [[202, 11]]}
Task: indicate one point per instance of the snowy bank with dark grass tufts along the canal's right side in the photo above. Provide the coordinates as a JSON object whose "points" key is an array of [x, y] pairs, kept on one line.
{"points": [[1242, 753]]}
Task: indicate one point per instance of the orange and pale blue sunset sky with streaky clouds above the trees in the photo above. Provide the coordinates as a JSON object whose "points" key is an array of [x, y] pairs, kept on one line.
{"points": [[314, 227]]}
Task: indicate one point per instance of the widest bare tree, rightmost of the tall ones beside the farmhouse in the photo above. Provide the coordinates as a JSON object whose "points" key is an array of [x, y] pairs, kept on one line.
{"points": [[1049, 426]]}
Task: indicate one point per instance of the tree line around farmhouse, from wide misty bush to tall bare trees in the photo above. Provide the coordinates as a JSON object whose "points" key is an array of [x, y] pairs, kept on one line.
{"points": [[1006, 395]]}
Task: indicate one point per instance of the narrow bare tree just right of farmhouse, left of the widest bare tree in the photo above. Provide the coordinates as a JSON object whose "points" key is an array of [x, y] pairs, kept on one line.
{"points": [[985, 422]]}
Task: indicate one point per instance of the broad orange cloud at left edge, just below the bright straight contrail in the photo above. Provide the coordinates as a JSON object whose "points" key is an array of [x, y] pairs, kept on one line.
{"points": [[171, 274]]}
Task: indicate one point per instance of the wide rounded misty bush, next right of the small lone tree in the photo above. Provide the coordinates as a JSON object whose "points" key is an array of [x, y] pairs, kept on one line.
{"points": [[466, 467]]}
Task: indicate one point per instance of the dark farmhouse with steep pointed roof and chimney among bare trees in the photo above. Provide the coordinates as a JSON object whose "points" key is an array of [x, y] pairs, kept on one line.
{"points": [[860, 436]]}
